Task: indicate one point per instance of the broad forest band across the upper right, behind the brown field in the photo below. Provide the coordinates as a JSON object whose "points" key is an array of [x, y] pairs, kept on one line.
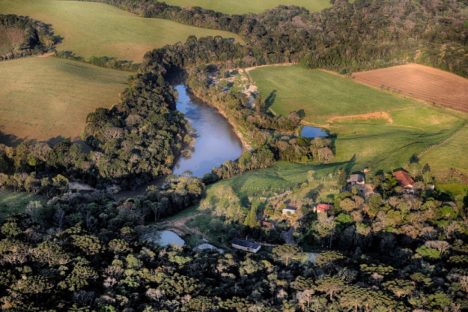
{"points": [[346, 37]]}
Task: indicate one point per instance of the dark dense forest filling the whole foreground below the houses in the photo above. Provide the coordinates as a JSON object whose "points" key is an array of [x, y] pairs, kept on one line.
{"points": [[391, 251]]}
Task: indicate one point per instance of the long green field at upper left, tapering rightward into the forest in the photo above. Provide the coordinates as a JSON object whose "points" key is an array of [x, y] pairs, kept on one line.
{"points": [[97, 29]]}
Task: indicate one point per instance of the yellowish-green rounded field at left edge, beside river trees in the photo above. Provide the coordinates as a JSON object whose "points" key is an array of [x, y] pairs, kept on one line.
{"points": [[47, 97]]}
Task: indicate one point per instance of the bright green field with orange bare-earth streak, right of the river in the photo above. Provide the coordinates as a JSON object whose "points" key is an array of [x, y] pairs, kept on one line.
{"points": [[375, 129]]}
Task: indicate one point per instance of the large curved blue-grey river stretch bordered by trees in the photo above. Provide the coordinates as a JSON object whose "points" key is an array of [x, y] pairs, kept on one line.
{"points": [[215, 140]]}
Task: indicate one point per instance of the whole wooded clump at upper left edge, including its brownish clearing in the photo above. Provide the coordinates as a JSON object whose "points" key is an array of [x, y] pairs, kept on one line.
{"points": [[28, 37]]}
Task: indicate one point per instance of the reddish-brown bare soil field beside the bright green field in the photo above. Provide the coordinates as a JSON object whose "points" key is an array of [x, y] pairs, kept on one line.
{"points": [[421, 82]]}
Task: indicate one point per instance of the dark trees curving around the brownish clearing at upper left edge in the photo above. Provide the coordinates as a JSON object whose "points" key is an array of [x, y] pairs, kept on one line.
{"points": [[38, 37]]}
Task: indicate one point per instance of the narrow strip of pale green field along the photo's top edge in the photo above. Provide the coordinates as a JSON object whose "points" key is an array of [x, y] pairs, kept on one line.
{"points": [[256, 6]]}
